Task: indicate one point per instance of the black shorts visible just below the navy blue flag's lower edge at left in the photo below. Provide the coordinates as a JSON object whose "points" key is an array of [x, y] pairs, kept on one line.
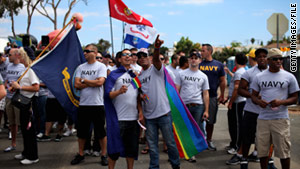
{"points": [[55, 112]]}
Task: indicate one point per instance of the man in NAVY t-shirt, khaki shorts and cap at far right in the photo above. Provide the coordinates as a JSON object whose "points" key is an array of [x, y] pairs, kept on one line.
{"points": [[277, 89]]}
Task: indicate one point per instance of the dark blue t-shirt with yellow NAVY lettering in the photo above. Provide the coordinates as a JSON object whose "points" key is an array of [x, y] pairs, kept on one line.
{"points": [[213, 70]]}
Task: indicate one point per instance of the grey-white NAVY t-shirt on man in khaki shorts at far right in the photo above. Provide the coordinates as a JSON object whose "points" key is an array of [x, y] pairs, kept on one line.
{"points": [[273, 86]]}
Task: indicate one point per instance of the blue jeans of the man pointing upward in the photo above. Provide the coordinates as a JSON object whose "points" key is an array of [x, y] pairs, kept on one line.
{"points": [[164, 123]]}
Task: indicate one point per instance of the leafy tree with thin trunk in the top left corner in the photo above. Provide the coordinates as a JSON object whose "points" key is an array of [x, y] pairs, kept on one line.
{"points": [[10, 8]]}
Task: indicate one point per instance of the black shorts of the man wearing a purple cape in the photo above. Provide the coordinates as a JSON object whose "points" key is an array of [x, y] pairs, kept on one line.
{"points": [[129, 131]]}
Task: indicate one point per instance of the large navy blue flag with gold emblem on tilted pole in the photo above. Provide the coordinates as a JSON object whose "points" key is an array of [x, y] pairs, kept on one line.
{"points": [[57, 70]]}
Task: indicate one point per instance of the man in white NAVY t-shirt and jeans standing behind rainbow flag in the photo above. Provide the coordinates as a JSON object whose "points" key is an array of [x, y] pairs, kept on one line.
{"points": [[192, 84]]}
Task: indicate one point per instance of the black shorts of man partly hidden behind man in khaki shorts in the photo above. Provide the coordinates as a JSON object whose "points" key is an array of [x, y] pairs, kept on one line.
{"points": [[249, 127]]}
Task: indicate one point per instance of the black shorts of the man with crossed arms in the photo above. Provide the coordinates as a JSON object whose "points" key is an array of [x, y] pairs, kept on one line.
{"points": [[86, 116]]}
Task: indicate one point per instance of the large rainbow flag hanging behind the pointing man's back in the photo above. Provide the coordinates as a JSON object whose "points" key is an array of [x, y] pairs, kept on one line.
{"points": [[188, 136]]}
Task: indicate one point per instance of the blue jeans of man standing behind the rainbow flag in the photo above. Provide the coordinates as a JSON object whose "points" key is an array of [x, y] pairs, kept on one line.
{"points": [[197, 113]]}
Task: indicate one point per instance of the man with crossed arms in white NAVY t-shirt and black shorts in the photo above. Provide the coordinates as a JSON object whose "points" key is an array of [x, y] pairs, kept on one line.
{"points": [[89, 78]]}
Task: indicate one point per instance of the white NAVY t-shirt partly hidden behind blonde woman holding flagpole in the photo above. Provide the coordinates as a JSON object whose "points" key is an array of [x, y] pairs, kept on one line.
{"points": [[13, 72]]}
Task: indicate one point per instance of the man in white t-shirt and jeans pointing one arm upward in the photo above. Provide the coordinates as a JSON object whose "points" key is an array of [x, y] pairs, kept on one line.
{"points": [[157, 110]]}
